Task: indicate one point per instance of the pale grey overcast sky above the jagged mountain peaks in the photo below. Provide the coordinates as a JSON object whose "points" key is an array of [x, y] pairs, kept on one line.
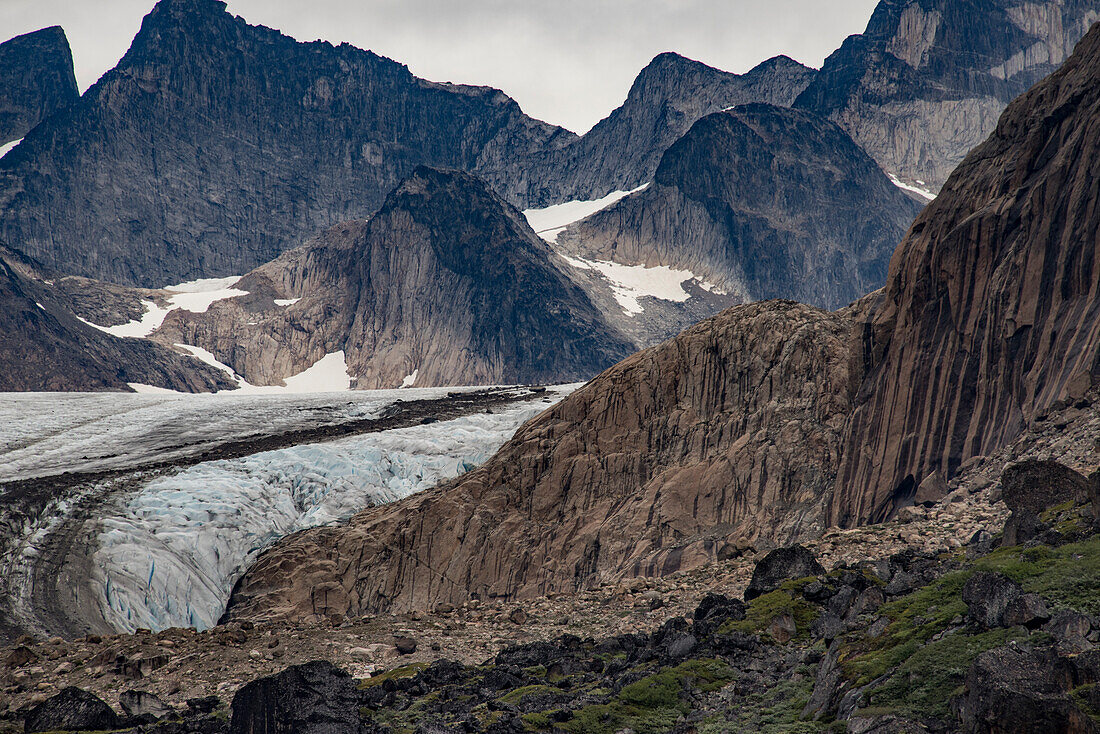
{"points": [[567, 62]]}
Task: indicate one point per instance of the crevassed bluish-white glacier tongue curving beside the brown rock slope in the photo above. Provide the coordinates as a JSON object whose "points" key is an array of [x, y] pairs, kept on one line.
{"points": [[170, 554]]}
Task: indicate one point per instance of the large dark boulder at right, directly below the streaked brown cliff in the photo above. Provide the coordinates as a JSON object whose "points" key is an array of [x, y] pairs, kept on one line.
{"points": [[1030, 488]]}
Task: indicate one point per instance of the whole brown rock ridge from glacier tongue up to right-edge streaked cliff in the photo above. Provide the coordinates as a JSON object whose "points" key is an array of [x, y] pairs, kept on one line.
{"points": [[745, 424]]}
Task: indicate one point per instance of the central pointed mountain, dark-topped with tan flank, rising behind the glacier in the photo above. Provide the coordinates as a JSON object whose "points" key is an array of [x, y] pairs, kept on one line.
{"points": [[447, 282]]}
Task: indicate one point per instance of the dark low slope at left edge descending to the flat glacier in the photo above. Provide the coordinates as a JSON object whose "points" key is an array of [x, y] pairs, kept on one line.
{"points": [[46, 347]]}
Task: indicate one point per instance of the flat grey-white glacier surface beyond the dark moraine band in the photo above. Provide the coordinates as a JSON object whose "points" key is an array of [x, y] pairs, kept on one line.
{"points": [[43, 434]]}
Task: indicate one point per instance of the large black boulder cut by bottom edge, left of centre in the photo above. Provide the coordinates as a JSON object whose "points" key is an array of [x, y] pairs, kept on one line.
{"points": [[316, 698]]}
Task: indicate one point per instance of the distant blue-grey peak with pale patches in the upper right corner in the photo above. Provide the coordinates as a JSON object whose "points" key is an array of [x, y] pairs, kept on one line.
{"points": [[928, 80]]}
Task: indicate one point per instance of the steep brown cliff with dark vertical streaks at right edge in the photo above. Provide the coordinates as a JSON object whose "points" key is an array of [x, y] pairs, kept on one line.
{"points": [[992, 313]]}
